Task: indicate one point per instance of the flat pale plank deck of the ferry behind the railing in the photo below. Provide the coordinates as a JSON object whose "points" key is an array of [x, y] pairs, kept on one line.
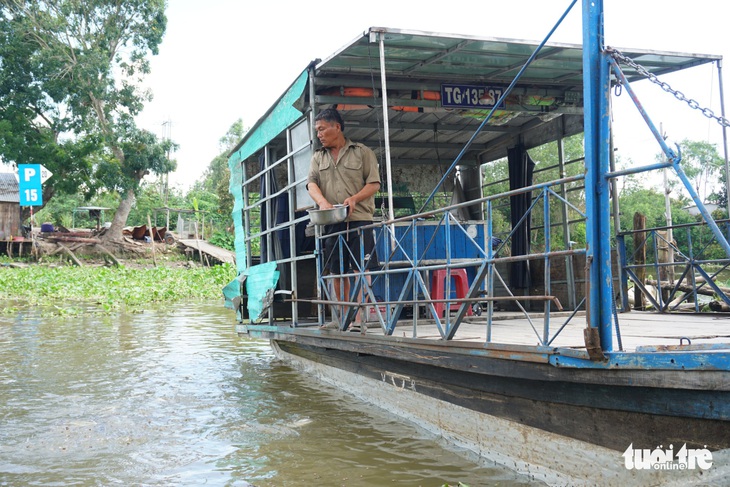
{"points": [[637, 329]]}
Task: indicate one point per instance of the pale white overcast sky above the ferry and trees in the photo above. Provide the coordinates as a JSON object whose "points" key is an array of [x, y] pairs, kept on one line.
{"points": [[222, 60]]}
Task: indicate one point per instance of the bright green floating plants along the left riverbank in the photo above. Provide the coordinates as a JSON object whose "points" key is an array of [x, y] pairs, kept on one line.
{"points": [[72, 290]]}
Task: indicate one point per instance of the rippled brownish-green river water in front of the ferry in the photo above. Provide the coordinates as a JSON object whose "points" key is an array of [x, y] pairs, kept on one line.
{"points": [[173, 397]]}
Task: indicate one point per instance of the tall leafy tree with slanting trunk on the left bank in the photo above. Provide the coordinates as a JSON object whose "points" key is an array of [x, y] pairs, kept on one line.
{"points": [[82, 62]]}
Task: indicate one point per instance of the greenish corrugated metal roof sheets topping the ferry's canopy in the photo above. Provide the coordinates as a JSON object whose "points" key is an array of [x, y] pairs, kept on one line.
{"points": [[434, 56]]}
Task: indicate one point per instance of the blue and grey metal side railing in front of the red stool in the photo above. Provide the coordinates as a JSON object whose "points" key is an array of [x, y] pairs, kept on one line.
{"points": [[411, 254]]}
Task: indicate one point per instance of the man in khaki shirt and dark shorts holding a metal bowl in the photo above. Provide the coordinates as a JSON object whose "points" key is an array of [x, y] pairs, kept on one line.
{"points": [[344, 172]]}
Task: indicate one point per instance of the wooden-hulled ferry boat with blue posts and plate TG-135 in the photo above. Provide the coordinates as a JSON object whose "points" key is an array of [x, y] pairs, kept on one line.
{"points": [[491, 321]]}
